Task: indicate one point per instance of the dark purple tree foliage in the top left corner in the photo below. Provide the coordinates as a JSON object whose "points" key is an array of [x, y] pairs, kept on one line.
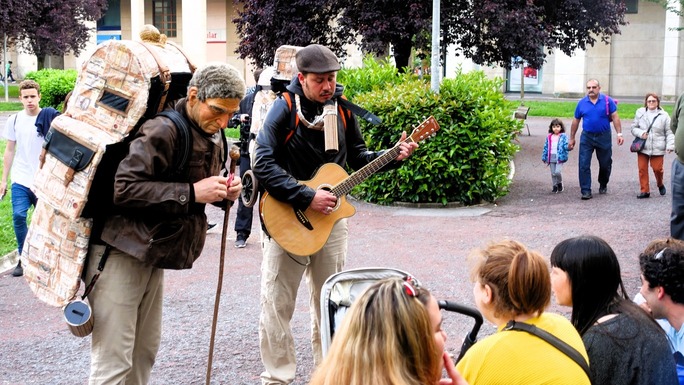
{"points": [[49, 27]]}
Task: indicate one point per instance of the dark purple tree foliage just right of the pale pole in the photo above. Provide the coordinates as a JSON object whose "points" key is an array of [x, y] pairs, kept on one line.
{"points": [[494, 32]]}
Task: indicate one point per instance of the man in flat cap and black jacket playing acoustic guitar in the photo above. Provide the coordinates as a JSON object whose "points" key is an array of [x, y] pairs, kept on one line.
{"points": [[288, 150]]}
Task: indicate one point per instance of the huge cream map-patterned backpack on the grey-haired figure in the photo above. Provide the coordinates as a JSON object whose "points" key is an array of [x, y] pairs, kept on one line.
{"points": [[120, 86]]}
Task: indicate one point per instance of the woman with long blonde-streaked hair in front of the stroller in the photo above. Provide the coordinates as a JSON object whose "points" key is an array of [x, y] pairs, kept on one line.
{"points": [[391, 335]]}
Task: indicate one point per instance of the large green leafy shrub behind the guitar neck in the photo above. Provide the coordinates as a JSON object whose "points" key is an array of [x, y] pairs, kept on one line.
{"points": [[468, 160]]}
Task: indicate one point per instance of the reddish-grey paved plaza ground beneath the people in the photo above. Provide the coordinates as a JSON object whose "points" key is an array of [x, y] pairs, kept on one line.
{"points": [[430, 243]]}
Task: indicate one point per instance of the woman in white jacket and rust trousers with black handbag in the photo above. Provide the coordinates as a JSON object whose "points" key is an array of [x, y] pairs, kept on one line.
{"points": [[652, 139]]}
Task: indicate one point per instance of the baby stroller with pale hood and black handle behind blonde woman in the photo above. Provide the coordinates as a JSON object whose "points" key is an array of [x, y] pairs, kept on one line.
{"points": [[341, 290]]}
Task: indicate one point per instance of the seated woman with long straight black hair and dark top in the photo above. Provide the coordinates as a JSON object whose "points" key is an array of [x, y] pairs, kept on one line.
{"points": [[625, 345]]}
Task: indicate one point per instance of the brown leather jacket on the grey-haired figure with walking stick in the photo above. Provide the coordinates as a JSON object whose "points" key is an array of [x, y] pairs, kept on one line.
{"points": [[159, 222]]}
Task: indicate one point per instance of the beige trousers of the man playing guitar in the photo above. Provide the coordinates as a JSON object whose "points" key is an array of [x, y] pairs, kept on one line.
{"points": [[281, 274]]}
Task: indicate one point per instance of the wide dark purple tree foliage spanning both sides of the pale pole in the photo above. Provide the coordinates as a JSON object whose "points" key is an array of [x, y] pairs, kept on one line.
{"points": [[490, 32]]}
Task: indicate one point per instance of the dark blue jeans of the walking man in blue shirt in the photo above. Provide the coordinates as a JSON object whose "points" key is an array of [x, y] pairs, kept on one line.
{"points": [[601, 142]]}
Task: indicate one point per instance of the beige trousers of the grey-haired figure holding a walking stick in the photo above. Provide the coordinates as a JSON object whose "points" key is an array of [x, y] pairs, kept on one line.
{"points": [[127, 313]]}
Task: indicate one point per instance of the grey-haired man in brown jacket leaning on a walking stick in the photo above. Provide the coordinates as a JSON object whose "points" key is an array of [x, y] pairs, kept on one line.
{"points": [[158, 221]]}
